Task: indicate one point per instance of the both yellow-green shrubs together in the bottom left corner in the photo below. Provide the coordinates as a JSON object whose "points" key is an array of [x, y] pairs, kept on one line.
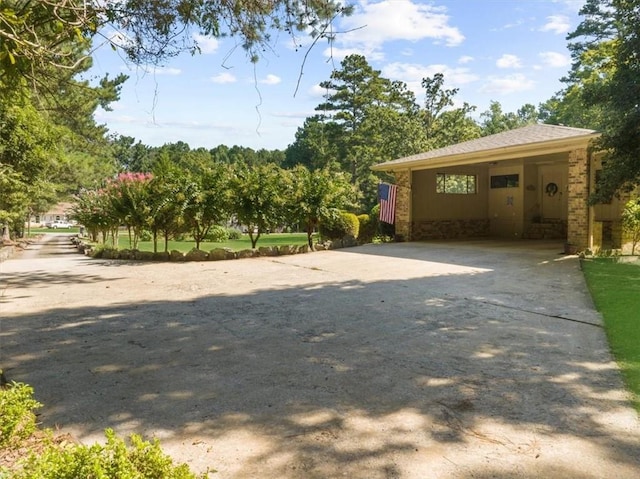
{"points": [[115, 459]]}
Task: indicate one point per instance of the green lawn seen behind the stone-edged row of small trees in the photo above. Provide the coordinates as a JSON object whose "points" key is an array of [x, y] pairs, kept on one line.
{"points": [[272, 239]]}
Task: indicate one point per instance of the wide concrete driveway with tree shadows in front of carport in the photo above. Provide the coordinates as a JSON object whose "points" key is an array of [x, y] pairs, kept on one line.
{"points": [[415, 360]]}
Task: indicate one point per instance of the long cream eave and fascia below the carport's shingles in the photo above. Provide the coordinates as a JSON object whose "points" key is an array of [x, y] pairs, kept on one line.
{"points": [[546, 147]]}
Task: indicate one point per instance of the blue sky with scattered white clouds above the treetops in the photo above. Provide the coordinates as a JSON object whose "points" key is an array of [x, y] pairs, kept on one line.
{"points": [[510, 51]]}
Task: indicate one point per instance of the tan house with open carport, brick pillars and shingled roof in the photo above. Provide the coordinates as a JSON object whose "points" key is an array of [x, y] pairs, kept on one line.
{"points": [[531, 182]]}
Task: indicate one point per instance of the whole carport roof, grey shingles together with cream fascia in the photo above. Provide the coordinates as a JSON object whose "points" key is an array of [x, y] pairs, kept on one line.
{"points": [[533, 139]]}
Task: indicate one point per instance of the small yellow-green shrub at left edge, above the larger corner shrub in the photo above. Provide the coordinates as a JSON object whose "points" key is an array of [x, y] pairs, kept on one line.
{"points": [[17, 420]]}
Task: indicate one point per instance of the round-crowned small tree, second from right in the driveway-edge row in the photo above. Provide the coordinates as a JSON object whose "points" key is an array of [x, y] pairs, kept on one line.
{"points": [[260, 196]]}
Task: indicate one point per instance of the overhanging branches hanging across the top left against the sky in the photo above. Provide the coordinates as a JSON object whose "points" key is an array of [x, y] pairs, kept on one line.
{"points": [[36, 34]]}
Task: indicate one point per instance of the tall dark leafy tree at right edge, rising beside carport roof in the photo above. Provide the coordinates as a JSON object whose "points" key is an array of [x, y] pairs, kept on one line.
{"points": [[606, 53]]}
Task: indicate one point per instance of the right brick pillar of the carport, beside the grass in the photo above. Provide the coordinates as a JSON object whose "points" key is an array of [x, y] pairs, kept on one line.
{"points": [[578, 221]]}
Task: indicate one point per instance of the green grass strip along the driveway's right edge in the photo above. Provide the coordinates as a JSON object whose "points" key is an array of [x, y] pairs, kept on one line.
{"points": [[615, 288]]}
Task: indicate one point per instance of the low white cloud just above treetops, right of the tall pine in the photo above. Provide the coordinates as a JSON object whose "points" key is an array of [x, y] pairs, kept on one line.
{"points": [[412, 74]]}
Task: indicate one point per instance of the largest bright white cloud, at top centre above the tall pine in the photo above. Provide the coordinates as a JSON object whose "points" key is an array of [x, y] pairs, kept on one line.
{"points": [[373, 24]]}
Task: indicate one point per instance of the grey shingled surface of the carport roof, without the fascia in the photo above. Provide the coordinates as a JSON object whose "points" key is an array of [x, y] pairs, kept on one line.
{"points": [[530, 134]]}
